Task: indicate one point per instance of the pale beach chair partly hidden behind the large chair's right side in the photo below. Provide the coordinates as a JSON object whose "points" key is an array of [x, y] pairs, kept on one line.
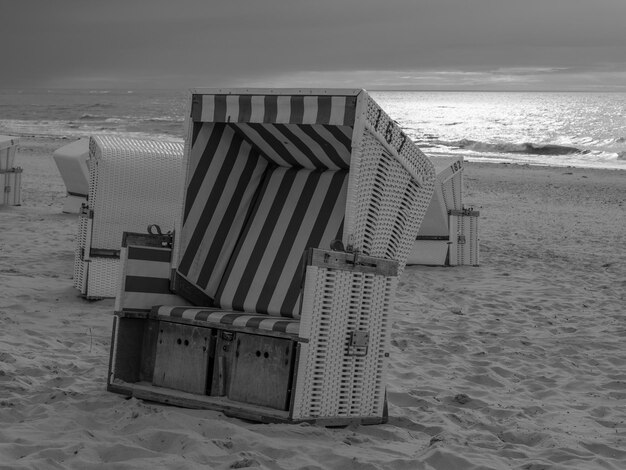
{"points": [[449, 232]]}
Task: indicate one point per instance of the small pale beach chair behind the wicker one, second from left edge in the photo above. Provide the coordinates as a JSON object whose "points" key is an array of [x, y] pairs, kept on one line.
{"points": [[71, 161]]}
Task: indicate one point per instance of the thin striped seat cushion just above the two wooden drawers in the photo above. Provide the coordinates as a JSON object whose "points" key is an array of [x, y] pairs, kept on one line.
{"points": [[221, 318]]}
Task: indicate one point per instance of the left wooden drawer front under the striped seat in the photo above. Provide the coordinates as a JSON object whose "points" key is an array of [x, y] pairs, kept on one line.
{"points": [[183, 357]]}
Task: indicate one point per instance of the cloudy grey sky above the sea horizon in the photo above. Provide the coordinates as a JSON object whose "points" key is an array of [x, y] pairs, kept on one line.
{"points": [[374, 44]]}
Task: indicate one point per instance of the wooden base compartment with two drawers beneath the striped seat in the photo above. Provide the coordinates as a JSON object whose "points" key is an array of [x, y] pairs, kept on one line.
{"points": [[201, 360]]}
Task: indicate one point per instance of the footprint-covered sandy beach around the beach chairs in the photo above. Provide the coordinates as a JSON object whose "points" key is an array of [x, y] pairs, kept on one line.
{"points": [[518, 363]]}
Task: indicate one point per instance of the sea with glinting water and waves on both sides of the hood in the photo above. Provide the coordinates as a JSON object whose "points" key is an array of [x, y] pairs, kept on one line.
{"points": [[578, 129]]}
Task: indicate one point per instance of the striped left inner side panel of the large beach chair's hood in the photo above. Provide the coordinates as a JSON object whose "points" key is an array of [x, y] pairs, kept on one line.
{"points": [[225, 175]]}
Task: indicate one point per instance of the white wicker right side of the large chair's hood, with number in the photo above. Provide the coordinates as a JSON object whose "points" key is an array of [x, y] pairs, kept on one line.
{"points": [[386, 201]]}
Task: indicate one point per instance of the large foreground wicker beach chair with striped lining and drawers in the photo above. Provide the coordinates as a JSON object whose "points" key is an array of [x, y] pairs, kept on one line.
{"points": [[300, 209]]}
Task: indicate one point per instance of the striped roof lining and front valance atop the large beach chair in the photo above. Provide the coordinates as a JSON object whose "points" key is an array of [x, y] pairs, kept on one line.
{"points": [[308, 131]]}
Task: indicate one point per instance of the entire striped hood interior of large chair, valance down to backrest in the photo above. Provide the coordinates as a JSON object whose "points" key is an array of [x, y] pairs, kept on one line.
{"points": [[267, 178]]}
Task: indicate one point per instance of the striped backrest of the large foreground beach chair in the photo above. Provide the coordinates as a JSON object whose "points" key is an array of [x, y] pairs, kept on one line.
{"points": [[295, 210]]}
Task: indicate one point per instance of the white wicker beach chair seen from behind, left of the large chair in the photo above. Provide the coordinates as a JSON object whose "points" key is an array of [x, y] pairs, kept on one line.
{"points": [[132, 183]]}
